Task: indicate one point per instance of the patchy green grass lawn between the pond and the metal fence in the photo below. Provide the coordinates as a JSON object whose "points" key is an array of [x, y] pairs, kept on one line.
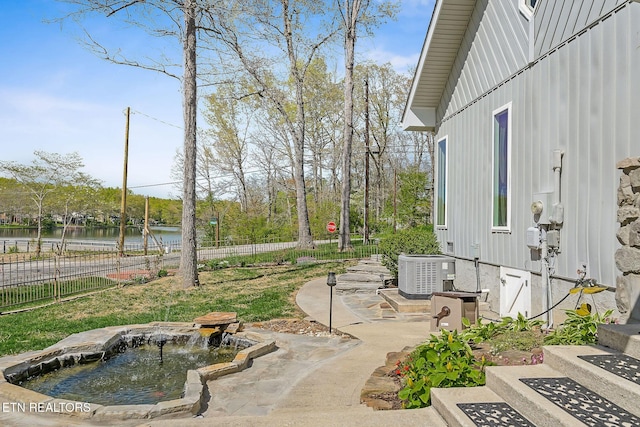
{"points": [[255, 293]]}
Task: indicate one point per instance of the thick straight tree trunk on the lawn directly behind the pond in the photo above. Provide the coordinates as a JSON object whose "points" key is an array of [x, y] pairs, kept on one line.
{"points": [[189, 255]]}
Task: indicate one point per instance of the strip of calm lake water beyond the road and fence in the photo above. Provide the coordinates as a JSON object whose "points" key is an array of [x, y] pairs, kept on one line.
{"points": [[132, 235]]}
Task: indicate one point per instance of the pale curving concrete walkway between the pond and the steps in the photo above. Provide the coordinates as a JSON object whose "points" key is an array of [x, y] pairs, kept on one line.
{"points": [[317, 381]]}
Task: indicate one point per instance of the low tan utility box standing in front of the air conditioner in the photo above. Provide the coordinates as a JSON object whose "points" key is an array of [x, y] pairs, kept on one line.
{"points": [[448, 309]]}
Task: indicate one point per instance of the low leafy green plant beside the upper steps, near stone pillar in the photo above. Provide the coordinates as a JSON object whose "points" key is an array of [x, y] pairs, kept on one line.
{"points": [[578, 329]]}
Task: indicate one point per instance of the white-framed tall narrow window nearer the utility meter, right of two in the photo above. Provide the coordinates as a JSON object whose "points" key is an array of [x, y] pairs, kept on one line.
{"points": [[501, 168]]}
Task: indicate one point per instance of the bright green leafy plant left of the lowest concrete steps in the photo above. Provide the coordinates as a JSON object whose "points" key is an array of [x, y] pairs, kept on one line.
{"points": [[444, 361]]}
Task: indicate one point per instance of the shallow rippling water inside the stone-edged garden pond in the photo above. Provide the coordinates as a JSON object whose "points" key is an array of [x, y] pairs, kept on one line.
{"points": [[135, 377]]}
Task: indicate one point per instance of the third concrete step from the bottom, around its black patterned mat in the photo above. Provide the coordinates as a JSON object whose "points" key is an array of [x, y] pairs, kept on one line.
{"points": [[623, 392]]}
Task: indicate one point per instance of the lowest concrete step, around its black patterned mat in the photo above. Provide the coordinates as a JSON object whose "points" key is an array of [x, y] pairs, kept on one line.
{"points": [[446, 400]]}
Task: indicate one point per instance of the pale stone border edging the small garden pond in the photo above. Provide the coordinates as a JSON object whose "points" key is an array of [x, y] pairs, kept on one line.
{"points": [[97, 343]]}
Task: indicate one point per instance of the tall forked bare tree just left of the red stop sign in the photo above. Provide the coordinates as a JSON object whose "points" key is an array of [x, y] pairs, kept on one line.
{"points": [[259, 34]]}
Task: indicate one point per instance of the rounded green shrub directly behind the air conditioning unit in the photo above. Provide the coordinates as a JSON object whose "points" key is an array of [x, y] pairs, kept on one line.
{"points": [[411, 241]]}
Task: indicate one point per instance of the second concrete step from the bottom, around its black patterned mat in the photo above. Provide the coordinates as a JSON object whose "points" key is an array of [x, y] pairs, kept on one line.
{"points": [[505, 382]]}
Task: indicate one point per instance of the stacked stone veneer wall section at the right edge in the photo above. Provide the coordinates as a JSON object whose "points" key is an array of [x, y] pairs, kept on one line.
{"points": [[628, 256]]}
